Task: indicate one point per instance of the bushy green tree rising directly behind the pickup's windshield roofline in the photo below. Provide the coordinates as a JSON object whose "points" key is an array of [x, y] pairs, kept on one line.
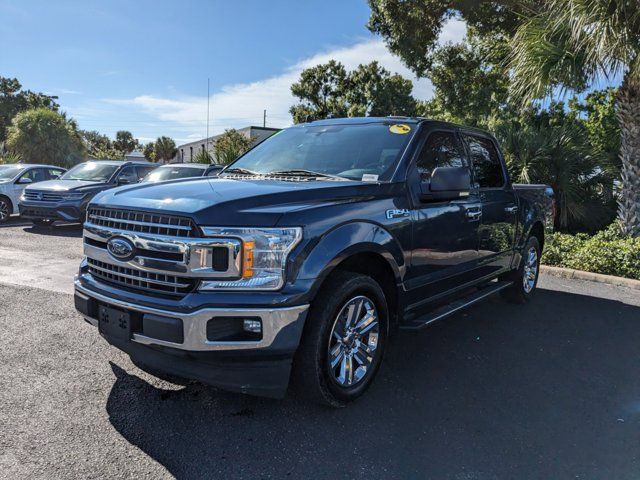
{"points": [[328, 90]]}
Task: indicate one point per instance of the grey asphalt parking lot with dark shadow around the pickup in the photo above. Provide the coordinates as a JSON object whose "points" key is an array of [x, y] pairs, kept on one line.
{"points": [[549, 390]]}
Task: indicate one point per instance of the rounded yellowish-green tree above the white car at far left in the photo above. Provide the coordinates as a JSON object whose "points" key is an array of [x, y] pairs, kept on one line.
{"points": [[44, 136]]}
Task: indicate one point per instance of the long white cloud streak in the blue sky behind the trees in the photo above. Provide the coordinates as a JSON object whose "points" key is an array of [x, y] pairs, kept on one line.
{"points": [[242, 104]]}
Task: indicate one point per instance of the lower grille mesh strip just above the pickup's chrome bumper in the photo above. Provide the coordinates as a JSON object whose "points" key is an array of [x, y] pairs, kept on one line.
{"points": [[139, 280]]}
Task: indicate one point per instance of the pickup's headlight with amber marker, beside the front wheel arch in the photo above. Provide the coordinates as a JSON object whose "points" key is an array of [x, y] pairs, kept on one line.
{"points": [[263, 258]]}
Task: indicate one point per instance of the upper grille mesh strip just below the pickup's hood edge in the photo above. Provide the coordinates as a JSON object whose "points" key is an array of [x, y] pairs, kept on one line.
{"points": [[132, 221]]}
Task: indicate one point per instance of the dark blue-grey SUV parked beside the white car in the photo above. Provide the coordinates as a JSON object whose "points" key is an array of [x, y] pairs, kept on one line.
{"points": [[66, 198]]}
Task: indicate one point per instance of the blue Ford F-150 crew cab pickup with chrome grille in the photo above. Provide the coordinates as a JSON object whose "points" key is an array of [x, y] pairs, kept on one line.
{"points": [[302, 257]]}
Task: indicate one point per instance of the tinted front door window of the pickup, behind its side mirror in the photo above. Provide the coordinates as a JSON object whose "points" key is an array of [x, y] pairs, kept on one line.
{"points": [[443, 149]]}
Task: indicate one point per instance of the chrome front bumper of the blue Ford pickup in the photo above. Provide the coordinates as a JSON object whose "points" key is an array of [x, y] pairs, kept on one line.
{"points": [[274, 320]]}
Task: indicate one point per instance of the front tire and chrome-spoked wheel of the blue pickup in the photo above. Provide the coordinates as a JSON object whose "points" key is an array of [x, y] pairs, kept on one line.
{"points": [[343, 341]]}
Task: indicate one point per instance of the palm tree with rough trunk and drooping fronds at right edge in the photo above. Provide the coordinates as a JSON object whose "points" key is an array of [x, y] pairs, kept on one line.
{"points": [[570, 43]]}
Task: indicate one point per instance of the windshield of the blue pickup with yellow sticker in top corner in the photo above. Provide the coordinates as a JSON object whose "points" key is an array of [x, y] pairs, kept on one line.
{"points": [[348, 151]]}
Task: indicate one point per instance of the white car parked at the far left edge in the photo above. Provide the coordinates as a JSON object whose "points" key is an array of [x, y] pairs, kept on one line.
{"points": [[15, 177]]}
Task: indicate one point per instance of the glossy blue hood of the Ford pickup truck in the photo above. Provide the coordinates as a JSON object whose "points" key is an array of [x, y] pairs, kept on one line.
{"points": [[236, 202]]}
